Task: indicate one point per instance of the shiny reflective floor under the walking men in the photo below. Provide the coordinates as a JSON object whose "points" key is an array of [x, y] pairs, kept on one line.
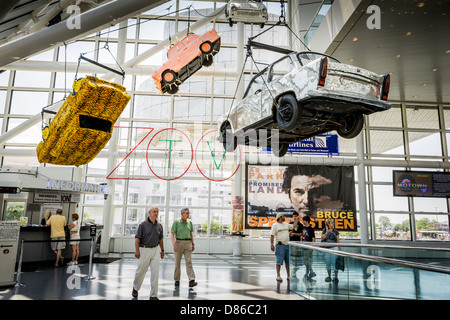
{"points": [[219, 277]]}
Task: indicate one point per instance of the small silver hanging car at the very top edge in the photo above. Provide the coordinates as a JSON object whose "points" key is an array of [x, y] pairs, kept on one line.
{"points": [[247, 11]]}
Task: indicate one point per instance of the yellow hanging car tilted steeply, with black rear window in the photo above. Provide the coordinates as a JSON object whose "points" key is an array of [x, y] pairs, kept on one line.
{"points": [[84, 123]]}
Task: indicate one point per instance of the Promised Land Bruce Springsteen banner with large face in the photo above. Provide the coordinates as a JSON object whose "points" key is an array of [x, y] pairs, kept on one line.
{"points": [[320, 192]]}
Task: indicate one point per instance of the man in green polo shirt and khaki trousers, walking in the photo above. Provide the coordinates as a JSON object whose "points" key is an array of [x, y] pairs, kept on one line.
{"points": [[183, 244]]}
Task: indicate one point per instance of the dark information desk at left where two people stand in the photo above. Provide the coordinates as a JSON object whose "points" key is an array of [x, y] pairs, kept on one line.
{"points": [[35, 253]]}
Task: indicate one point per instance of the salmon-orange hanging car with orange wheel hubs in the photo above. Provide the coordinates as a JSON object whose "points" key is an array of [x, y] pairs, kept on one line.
{"points": [[185, 58]]}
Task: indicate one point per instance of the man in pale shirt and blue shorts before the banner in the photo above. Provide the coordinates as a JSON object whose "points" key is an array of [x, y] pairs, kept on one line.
{"points": [[280, 233]]}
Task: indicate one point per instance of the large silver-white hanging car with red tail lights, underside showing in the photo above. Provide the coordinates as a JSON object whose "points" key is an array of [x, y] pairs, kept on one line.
{"points": [[300, 96]]}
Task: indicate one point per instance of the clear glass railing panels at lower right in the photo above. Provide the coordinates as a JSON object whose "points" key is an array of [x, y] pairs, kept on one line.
{"points": [[320, 271]]}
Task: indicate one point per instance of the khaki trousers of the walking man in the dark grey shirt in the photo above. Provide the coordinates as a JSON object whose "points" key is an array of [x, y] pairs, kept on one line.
{"points": [[150, 257]]}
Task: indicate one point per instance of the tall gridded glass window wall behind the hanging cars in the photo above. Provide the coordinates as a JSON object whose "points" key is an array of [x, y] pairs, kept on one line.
{"points": [[406, 132]]}
